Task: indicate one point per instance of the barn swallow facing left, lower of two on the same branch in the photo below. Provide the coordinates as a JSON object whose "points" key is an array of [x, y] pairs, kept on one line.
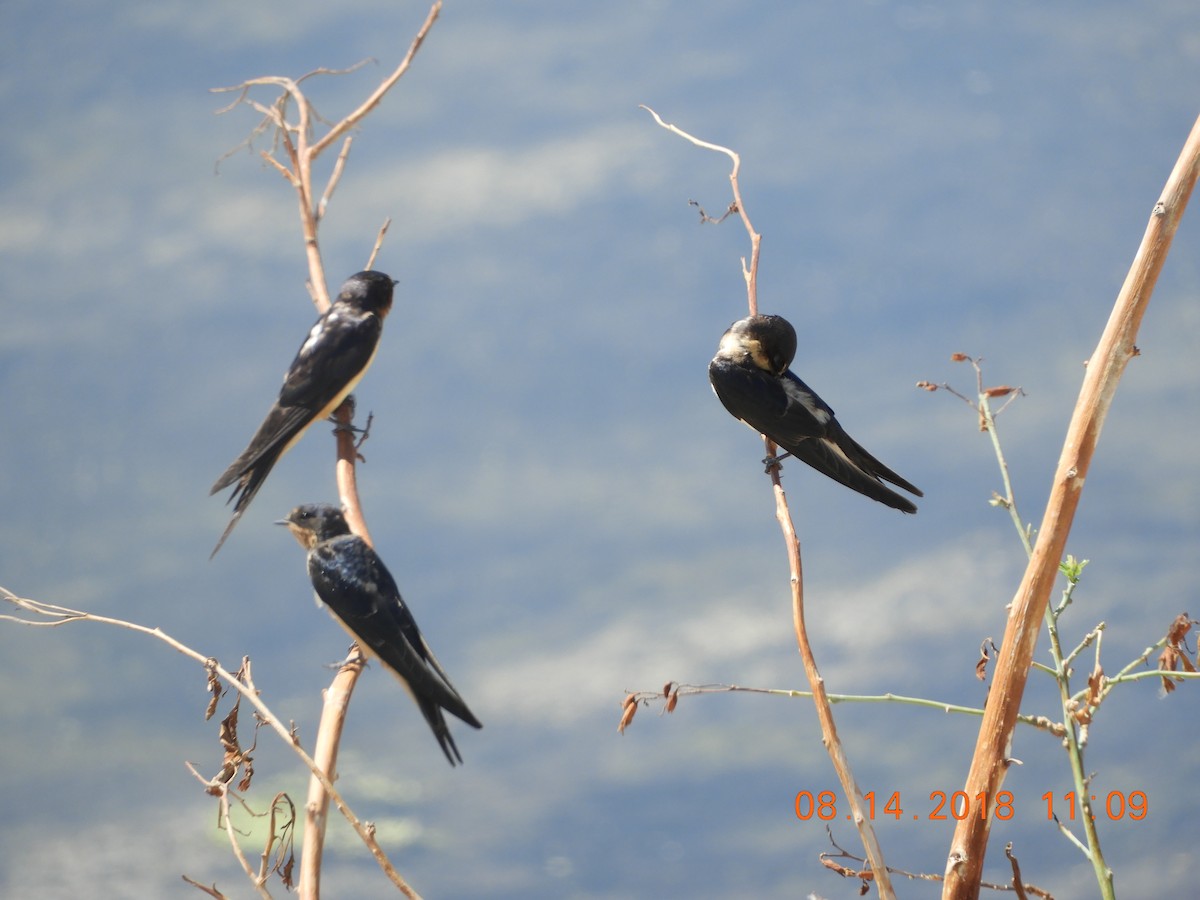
{"points": [[351, 579]]}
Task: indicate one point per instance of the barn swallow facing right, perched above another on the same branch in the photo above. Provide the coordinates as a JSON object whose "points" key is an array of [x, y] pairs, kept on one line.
{"points": [[328, 367]]}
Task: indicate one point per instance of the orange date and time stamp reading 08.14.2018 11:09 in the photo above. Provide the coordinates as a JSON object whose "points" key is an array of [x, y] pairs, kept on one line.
{"points": [[824, 806]]}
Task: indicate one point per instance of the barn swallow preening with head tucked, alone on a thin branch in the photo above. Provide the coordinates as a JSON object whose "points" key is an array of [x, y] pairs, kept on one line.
{"points": [[751, 376]]}
